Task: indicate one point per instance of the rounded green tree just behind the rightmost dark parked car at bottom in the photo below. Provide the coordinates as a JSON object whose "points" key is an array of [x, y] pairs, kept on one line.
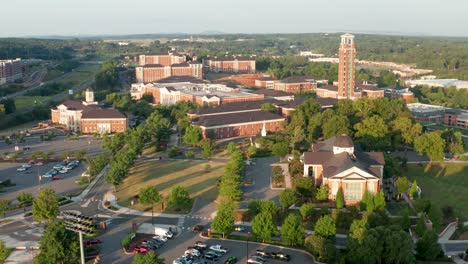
{"points": [[292, 230]]}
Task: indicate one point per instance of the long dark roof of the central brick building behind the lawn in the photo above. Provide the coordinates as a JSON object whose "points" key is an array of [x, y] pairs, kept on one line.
{"points": [[236, 118]]}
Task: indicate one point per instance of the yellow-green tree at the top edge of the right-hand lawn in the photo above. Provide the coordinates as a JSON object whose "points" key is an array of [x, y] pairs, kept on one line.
{"points": [[431, 144]]}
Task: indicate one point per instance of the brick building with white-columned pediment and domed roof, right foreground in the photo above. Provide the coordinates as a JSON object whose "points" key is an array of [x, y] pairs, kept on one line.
{"points": [[337, 163]]}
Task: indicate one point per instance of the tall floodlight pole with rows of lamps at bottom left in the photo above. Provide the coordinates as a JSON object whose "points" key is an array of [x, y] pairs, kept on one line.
{"points": [[80, 224]]}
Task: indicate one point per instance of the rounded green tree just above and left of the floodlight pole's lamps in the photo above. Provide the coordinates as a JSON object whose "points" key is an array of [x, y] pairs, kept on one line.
{"points": [[45, 206]]}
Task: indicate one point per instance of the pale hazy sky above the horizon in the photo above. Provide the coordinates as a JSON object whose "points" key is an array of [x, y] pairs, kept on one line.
{"points": [[115, 17]]}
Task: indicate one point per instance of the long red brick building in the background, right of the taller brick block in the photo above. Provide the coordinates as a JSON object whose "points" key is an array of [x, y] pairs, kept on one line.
{"points": [[228, 64]]}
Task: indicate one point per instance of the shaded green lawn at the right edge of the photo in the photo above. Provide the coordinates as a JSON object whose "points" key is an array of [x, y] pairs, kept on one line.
{"points": [[443, 185]]}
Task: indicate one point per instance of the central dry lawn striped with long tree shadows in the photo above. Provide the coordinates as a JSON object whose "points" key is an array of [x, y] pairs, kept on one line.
{"points": [[167, 174]]}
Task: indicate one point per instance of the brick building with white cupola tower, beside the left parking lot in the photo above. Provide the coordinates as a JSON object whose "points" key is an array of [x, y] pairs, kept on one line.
{"points": [[88, 118]]}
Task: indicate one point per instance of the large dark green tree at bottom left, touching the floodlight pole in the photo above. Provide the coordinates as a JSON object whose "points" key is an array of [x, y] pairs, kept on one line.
{"points": [[58, 245]]}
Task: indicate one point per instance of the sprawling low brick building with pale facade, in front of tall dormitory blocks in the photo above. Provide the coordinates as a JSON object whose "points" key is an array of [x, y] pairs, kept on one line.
{"points": [[174, 89]]}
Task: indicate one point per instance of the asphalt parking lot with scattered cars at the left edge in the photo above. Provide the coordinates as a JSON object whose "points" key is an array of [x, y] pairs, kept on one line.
{"points": [[28, 181]]}
